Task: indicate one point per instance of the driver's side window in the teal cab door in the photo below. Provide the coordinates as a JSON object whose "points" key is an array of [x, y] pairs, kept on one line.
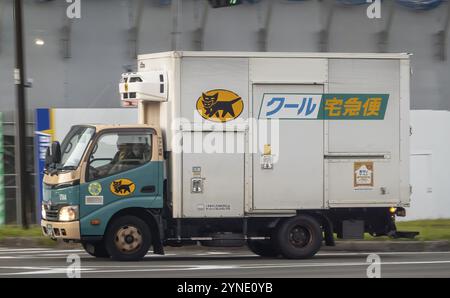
{"points": [[118, 152]]}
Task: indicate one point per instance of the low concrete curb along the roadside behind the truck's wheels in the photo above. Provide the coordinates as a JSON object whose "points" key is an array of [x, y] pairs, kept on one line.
{"points": [[348, 246]]}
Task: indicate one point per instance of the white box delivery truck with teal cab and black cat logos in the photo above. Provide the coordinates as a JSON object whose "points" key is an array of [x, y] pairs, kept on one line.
{"points": [[279, 151]]}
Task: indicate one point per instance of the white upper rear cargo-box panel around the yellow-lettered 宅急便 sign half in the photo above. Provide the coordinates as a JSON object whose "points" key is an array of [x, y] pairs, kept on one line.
{"points": [[352, 76]]}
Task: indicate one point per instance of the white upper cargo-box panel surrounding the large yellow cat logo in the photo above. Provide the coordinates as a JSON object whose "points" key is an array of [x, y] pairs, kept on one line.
{"points": [[200, 75]]}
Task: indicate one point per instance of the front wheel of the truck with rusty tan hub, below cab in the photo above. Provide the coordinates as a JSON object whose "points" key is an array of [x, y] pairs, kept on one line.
{"points": [[128, 238]]}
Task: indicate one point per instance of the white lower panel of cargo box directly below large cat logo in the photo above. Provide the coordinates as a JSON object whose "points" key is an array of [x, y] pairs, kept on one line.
{"points": [[222, 174]]}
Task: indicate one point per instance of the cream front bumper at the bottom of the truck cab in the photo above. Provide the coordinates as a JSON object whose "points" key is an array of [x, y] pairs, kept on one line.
{"points": [[61, 230]]}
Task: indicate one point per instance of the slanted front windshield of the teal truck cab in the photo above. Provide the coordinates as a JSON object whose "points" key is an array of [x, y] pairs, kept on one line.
{"points": [[74, 146]]}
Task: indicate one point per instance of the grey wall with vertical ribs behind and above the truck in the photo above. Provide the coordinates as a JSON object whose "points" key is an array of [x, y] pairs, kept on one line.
{"points": [[101, 41]]}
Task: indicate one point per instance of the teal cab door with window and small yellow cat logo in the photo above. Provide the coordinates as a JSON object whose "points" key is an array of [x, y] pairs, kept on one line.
{"points": [[122, 171]]}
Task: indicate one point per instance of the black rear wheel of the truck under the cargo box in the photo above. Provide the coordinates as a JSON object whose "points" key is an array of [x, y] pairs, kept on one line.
{"points": [[299, 237]]}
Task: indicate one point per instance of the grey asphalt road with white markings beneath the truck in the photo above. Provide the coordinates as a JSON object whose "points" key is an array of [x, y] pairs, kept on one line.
{"points": [[221, 263]]}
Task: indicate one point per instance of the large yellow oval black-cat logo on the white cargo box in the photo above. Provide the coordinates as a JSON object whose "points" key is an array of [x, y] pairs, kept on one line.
{"points": [[220, 105]]}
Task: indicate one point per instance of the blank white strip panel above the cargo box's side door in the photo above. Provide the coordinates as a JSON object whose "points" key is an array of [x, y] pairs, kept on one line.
{"points": [[288, 70]]}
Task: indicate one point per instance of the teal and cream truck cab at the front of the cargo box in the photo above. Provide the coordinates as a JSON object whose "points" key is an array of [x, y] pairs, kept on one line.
{"points": [[104, 172]]}
